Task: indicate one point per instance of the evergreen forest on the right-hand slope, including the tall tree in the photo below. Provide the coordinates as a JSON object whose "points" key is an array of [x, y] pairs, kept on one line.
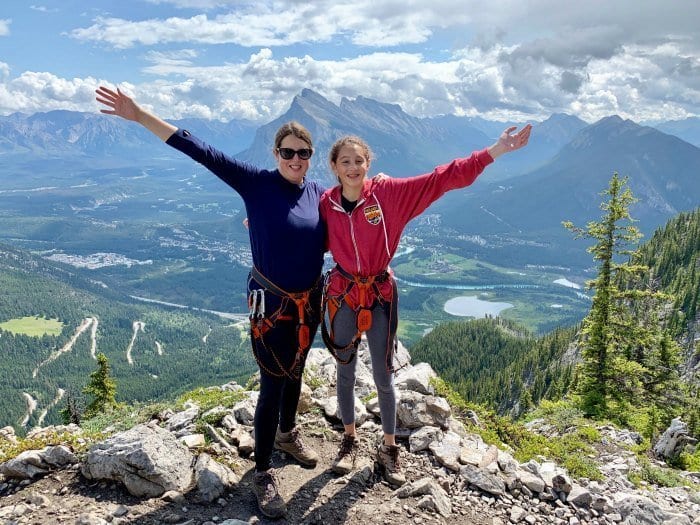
{"points": [[649, 294]]}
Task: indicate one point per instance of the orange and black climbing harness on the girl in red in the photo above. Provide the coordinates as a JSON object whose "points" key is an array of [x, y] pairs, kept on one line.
{"points": [[363, 312]]}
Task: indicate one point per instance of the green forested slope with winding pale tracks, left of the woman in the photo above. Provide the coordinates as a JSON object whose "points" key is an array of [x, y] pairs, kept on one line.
{"points": [[174, 350]]}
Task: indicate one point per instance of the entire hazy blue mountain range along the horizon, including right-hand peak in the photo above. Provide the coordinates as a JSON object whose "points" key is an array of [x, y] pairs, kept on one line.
{"points": [[559, 176]]}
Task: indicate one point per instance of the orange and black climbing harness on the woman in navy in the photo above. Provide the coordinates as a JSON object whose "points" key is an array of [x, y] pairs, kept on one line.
{"points": [[260, 323]]}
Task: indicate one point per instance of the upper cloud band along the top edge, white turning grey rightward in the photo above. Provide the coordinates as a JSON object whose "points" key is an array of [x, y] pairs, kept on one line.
{"points": [[600, 25]]}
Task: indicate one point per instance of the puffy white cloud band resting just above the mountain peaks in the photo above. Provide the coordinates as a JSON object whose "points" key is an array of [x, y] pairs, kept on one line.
{"points": [[638, 82]]}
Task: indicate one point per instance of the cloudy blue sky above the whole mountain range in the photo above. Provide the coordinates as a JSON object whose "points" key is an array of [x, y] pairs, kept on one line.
{"points": [[216, 59]]}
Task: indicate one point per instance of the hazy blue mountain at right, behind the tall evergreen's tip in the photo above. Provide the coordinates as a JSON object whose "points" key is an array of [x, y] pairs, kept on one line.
{"points": [[663, 173]]}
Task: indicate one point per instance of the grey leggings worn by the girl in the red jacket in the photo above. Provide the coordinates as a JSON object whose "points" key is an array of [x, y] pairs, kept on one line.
{"points": [[344, 328]]}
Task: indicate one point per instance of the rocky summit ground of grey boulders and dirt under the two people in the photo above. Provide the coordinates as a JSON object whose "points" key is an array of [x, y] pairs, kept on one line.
{"points": [[194, 467]]}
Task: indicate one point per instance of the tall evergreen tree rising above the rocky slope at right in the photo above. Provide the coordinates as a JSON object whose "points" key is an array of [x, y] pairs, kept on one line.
{"points": [[629, 356]]}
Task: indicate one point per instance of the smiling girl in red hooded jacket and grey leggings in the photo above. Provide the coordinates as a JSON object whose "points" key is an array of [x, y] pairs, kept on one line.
{"points": [[365, 219]]}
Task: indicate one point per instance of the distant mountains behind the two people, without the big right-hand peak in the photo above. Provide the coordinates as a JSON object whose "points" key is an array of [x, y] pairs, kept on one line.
{"points": [[403, 144]]}
